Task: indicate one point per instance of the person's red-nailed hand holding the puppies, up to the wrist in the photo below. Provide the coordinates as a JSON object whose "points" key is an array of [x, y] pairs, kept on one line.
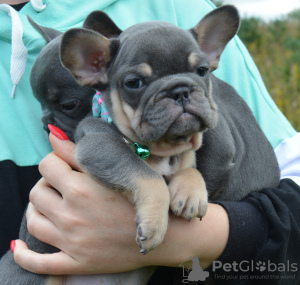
{"points": [[85, 221]]}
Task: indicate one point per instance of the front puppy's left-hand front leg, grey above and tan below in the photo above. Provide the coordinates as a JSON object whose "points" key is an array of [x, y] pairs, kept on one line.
{"points": [[102, 152]]}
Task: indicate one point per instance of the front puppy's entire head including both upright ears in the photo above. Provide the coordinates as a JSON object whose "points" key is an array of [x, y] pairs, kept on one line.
{"points": [[154, 76]]}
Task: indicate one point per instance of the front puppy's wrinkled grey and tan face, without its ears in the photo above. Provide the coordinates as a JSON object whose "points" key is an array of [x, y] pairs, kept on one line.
{"points": [[161, 92]]}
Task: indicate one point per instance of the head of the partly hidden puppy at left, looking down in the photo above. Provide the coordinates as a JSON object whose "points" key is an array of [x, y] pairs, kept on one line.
{"points": [[64, 102]]}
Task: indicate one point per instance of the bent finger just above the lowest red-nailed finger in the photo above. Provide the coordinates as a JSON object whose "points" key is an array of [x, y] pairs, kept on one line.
{"points": [[41, 227]]}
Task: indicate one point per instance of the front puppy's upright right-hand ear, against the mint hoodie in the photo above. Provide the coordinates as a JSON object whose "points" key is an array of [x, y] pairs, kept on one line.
{"points": [[215, 30]]}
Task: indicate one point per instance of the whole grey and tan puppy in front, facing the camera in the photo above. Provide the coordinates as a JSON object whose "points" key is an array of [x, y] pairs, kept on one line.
{"points": [[158, 88]]}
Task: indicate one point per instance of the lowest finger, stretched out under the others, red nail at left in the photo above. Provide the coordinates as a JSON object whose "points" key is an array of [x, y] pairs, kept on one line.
{"points": [[51, 264]]}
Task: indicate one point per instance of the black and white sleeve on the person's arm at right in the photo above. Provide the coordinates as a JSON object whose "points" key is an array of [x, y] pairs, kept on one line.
{"points": [[270, 219]]}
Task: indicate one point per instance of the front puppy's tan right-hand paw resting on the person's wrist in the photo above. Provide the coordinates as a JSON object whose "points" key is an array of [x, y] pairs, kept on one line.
{"points": [[188, 194]]}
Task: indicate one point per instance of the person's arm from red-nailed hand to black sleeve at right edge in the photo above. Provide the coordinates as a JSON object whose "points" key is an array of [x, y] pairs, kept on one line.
{"points": [[101, 240]]}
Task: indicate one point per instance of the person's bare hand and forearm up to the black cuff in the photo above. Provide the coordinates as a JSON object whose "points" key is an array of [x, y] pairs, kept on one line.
{"points": [[95, 229]]}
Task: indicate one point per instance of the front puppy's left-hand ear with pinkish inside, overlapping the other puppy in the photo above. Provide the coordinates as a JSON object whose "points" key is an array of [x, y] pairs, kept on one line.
{"points": [[87, 55]]}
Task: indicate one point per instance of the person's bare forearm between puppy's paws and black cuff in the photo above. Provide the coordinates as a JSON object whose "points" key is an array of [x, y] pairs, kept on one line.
{"points": [[184, 240]]}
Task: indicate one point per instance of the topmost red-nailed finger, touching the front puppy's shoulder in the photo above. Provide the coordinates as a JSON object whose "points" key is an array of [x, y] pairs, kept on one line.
{"points": [[65, 150]]}
